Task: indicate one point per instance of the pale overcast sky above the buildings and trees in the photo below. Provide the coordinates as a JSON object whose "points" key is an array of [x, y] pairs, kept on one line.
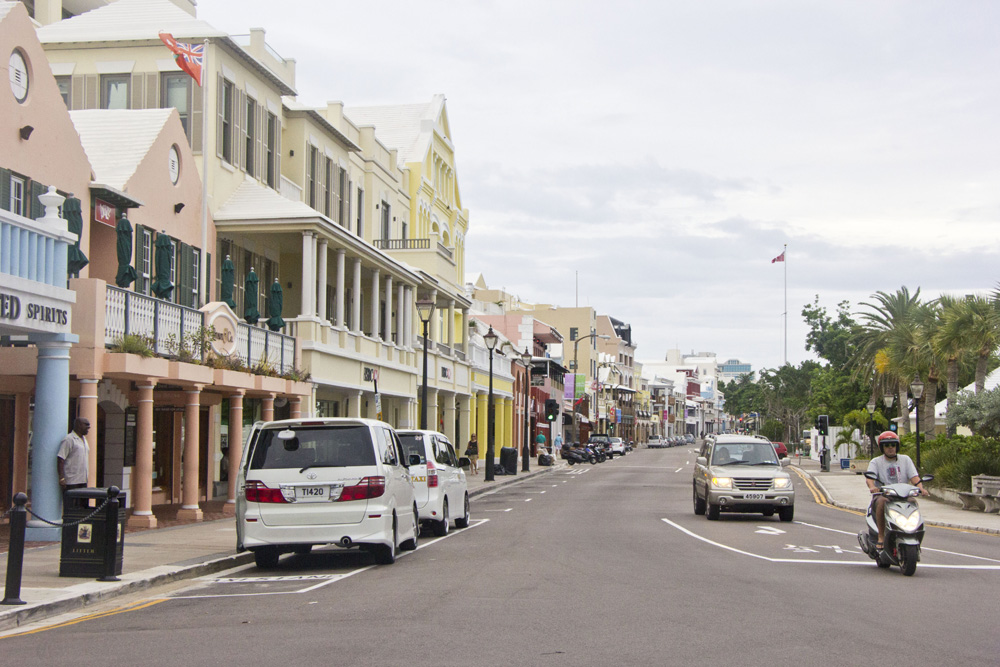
{"points": [[665, 152]]}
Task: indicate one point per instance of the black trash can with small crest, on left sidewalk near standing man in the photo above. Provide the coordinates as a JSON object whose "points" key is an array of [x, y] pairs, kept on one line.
{"points": [[83, 544]]}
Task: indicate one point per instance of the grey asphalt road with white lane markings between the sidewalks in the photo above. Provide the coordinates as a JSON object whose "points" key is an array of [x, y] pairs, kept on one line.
{"points": [[592, 565]]}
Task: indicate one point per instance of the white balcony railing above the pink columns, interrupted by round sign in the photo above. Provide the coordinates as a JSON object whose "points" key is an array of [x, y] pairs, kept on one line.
{"points": [[167, 326]]}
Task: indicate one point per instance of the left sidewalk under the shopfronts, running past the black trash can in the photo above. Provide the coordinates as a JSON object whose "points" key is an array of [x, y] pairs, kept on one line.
{"points": [[175, 551]]}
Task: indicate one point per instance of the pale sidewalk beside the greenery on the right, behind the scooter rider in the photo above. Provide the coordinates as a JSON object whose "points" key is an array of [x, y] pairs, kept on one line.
{"points": [[846, 489]]}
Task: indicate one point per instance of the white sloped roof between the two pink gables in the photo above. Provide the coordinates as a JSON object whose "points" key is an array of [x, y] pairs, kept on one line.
{"points": [[116, 141]]}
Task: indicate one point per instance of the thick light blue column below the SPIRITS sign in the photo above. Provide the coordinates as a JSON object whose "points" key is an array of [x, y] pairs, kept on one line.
{"points": [[48, 430]]}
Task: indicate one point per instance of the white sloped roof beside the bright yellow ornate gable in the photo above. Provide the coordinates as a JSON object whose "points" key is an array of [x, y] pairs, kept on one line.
{"points": [[409, 128]]}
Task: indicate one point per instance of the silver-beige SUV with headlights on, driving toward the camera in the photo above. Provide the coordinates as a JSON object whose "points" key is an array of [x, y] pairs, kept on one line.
{"points": [[736, 473]]}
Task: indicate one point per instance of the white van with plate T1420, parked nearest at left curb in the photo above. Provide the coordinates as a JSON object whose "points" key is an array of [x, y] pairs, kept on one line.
{"points": [[308, 482]]}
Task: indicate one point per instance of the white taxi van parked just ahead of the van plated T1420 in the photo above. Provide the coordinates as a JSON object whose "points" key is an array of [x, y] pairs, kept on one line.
{"points": [[439, 483]]}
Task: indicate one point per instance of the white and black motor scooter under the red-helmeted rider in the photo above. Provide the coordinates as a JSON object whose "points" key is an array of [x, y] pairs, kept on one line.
{"points": [[904, 527]]}
